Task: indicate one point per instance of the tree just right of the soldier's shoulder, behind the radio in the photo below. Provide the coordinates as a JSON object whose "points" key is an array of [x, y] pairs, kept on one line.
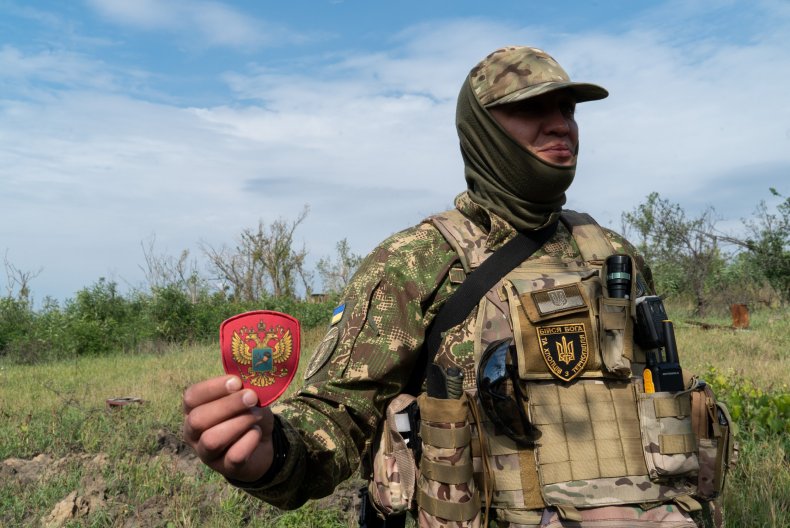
{"points": [[683, 252]]}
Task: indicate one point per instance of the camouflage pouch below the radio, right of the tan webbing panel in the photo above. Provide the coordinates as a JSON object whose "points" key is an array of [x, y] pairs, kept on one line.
{"points": [[669, 443]]}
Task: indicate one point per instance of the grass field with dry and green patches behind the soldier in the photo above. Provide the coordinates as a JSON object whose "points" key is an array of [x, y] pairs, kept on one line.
{"points": [[66, 456]]}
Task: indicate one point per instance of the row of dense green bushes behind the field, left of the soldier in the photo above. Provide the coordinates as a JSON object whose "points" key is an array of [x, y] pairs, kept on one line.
{"points": [[100, 320]]}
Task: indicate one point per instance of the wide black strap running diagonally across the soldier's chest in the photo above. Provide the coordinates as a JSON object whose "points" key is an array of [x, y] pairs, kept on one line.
{"points": [[469, 293]]}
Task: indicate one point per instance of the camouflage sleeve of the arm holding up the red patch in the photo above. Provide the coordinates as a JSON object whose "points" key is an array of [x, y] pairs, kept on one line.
{"points": [[364, 360]]}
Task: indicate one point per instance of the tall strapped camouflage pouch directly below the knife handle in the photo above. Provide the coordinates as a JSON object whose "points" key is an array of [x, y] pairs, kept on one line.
{"points": [[447, 494]]}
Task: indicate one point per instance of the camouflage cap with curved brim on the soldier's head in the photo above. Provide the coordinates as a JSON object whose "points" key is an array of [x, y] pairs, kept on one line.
{"points": [[515, 73]]}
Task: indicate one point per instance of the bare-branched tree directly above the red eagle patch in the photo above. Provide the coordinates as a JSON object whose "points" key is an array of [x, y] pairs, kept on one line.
{"points": [[263, 261]]}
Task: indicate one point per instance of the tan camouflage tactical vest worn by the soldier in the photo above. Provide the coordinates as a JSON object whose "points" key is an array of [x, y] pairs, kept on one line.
{"points": [[604, 441]]}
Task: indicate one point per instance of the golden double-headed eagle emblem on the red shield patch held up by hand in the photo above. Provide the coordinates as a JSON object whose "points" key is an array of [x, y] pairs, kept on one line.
{"points": [[261, 352]]}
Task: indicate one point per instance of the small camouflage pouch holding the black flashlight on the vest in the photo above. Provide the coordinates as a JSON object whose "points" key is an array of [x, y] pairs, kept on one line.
{"points": [[616, 335]]}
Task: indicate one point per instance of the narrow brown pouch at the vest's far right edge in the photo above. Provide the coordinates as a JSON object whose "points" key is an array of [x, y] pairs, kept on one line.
{"points": [[715, 433]]}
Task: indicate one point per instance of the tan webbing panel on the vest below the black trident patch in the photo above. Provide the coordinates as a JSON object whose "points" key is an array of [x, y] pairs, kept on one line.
{"points": [[589, 430]]}
